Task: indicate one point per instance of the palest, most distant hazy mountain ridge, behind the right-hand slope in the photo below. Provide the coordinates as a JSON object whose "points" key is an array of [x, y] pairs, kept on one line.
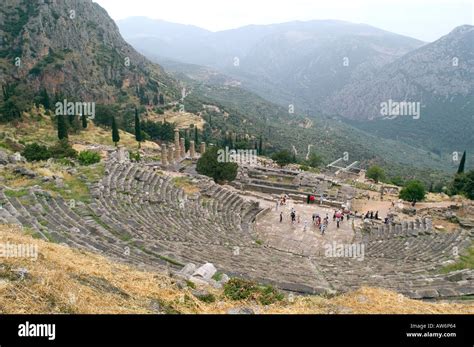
{"points": [[294, 62]]}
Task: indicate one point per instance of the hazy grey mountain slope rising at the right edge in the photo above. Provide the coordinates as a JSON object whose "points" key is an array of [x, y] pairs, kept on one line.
{"points": [[439, 76]]}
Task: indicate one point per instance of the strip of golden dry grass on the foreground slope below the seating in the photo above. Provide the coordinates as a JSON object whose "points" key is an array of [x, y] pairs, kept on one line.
{"points": [[66, 280]]}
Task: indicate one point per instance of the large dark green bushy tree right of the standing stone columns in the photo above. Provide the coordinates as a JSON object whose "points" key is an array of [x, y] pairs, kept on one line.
{"points": [[209, 165]]}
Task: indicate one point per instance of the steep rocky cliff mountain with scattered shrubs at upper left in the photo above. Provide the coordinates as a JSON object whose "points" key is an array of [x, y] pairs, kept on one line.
{"points": [[75, 49]]}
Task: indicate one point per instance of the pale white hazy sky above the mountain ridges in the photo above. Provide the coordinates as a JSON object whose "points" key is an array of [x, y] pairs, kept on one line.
{"points": [[426, 20]]}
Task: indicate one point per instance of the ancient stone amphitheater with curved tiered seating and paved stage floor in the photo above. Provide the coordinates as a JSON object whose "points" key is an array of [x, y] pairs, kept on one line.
{"points": [[137, 214]]}
